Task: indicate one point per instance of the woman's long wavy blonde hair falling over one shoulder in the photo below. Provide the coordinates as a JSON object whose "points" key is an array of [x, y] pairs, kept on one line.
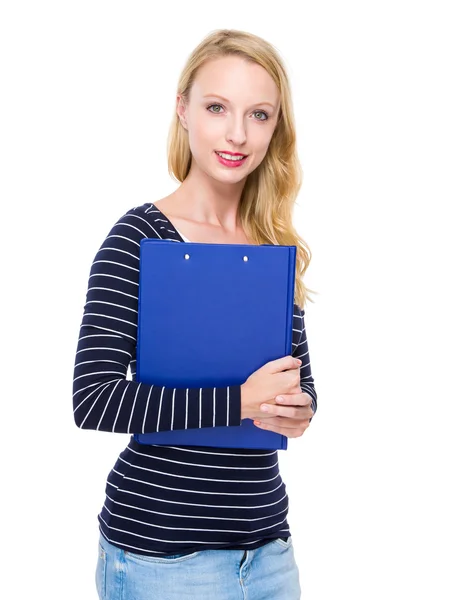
{"points": [[270, 191]]}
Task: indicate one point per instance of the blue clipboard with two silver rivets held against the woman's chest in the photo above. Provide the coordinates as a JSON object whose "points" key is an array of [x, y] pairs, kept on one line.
{"points": [[209, 315]]}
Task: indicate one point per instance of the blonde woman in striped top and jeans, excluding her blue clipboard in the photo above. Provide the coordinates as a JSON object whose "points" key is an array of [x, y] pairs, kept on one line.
{"points": [[198, 522]]}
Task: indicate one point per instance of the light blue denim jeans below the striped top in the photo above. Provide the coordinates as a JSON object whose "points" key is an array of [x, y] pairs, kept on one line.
{"points": [[267, 573]]}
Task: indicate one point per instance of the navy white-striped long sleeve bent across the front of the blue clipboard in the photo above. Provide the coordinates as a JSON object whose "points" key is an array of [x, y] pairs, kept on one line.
{"points": [[103, 398]]}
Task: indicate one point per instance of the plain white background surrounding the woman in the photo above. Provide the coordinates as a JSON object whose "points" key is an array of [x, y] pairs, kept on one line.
{"points": [[377, 484]]}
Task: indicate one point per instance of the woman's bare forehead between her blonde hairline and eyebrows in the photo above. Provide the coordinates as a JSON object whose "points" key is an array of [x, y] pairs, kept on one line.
{"points": [[236, 79]]}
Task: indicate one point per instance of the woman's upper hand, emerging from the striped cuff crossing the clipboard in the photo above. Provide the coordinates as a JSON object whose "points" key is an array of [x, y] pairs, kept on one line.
{"points": [[281, 376]]}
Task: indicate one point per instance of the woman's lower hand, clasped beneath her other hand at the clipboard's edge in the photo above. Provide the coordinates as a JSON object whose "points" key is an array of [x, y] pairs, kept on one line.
{"points": [[289, 417]]}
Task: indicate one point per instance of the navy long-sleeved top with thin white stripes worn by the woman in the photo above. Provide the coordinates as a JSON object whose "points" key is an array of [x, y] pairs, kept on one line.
{"points": [[162, 500]]}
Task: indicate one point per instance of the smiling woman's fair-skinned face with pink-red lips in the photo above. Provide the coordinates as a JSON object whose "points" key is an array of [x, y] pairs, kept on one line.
{"points": [[233, 107]]}
